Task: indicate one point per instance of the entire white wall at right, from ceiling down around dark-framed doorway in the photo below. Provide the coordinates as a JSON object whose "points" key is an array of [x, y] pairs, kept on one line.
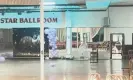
{"points": [[121, 20]]}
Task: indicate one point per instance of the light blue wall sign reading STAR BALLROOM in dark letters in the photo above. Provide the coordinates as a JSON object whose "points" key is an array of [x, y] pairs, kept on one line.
{"points": [[32, 20]]}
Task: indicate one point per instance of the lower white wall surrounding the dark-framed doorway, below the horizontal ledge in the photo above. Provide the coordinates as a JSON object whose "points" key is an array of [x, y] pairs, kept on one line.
{"points": [[127, 32]]}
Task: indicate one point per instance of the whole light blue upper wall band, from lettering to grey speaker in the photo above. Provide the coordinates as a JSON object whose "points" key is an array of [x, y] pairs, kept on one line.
{"points": [[78, 19]]}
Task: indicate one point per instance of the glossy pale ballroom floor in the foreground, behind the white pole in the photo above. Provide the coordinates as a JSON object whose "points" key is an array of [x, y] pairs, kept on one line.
{"points": [[58, 69]]}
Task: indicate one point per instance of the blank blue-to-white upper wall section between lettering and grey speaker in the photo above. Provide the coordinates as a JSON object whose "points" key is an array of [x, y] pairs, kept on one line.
{"points": [[88, 19]]}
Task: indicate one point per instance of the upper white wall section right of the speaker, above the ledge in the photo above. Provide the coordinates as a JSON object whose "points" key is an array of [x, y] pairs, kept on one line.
{"points": [[121, 16]]}
